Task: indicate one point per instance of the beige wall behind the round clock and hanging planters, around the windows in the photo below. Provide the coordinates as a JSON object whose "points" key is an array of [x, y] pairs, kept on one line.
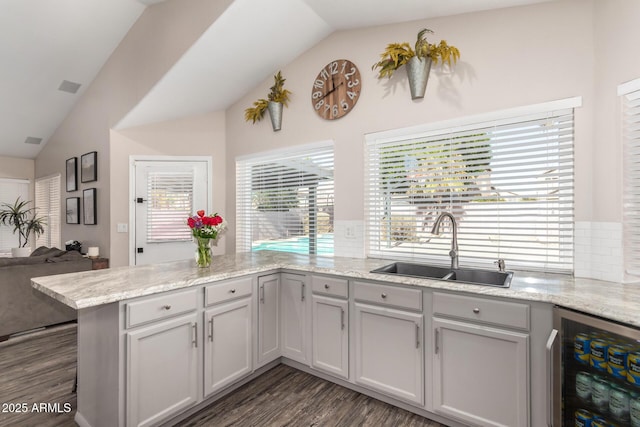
{"points": [[510, 57]]}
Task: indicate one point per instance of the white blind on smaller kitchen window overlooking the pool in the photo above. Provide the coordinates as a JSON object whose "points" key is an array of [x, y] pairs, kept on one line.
{"points": [[285, 202]]}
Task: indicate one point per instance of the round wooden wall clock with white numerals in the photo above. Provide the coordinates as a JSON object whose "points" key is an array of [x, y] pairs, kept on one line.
{"points": [[336, 89]]}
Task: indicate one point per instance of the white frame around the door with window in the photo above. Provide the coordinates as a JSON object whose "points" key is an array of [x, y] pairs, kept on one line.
{"points": [[133, 159]]}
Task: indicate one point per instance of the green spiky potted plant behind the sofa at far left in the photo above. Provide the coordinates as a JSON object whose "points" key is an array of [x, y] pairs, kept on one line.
{"points": [[24, 221]]}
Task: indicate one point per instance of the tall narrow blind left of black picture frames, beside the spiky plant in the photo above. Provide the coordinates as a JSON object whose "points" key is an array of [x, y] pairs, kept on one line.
{"points": [[48, 206]]}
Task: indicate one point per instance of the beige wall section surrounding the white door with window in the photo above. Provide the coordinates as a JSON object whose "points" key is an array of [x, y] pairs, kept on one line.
{"points": [[194, 136]]}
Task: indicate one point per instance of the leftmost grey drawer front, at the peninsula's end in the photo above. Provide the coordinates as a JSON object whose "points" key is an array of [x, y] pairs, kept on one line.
{"points": [[160, 307]]}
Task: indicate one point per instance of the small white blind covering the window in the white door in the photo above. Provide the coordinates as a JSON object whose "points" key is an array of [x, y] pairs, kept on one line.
{"points": [[169, 204]]}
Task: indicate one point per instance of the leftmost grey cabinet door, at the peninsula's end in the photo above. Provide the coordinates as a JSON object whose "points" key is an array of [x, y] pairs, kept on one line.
{"points": [[162, 370]]}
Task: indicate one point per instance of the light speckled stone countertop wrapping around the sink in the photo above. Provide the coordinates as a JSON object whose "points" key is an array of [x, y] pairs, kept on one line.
{"points": [[612, 301]]}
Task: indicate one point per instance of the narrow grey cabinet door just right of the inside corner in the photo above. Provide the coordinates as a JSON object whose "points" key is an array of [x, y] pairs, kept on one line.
{"points": [[293, 317]]}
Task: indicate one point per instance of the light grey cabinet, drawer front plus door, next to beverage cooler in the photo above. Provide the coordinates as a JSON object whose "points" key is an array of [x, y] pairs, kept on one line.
{"points": [[480, 370]]}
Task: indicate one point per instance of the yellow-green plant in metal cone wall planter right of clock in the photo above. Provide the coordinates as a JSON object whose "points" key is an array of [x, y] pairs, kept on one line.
{"points": [[417, 59]]}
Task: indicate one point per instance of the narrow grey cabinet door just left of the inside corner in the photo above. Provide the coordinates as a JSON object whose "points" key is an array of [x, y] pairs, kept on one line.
{"points": [[268, 314]]}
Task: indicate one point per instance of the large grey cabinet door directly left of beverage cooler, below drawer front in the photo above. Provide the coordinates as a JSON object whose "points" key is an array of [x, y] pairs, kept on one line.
{"points": [[480, 374]]}
